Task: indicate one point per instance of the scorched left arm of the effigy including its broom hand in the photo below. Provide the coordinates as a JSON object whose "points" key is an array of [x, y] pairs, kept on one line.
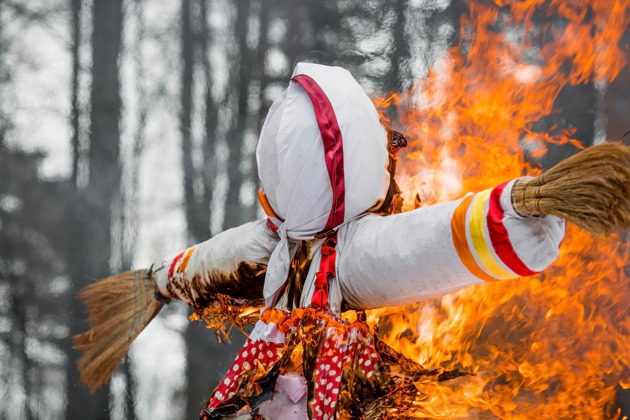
{"points": [[223, 275]]}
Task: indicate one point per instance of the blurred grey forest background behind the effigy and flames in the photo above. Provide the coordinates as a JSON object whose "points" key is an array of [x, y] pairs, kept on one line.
{"points": [[127, 132]]}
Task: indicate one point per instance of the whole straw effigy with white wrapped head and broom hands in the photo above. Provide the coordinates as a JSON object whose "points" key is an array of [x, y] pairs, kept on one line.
{"points": [[336, 244]]}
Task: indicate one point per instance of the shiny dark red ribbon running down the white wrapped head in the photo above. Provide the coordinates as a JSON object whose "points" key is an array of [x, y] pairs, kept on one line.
{"points": [[333, 146]]}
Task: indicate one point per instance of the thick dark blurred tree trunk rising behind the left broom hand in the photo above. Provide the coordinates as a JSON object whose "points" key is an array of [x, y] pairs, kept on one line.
{"points": [[94, 222]]}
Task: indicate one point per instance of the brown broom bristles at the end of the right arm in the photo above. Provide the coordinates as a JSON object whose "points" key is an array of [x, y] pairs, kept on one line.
{"points": [[590, 189]]}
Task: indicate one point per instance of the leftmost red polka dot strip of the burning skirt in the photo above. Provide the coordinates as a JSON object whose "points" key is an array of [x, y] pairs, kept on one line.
{"points": [[252, 354]]}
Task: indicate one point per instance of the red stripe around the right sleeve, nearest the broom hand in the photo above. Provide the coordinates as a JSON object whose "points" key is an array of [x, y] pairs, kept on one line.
{"points": [[499, 235]]}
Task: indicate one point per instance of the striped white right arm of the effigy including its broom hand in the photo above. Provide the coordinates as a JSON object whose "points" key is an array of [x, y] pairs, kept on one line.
{"points": [[484, 237]]}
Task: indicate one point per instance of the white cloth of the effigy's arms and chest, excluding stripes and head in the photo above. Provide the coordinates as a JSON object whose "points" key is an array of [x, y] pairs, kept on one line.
{"points": [[385, 261]]}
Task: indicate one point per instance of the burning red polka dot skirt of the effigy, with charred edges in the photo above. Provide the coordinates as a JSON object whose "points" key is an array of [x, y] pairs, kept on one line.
{"points": [[336, 370]]}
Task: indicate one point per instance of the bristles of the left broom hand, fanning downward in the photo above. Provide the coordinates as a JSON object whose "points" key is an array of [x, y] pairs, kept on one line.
{"points": [[119, 308]]}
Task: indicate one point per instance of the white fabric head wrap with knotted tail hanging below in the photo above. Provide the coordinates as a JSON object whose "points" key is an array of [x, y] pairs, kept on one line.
{"points": [[293, 169]]}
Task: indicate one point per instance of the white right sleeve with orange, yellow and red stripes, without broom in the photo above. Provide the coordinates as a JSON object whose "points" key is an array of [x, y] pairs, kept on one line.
{"points": [[432, 251]]}
